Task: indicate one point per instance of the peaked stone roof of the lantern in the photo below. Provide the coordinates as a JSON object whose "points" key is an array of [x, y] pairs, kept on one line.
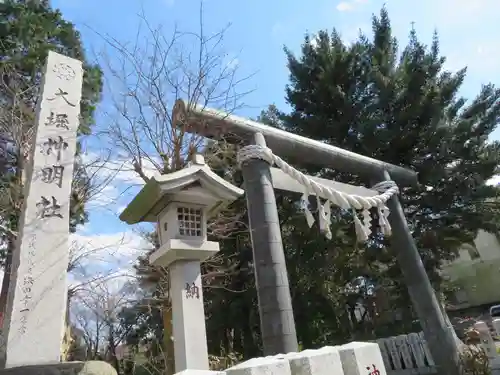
{"points": [[196, 183]]}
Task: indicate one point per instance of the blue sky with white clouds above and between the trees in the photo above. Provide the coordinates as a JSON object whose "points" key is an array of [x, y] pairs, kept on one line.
{"points": [[259, 30]]}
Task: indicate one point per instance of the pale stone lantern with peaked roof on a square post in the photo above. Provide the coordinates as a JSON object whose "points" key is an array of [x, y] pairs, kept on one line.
{"points": [[181, 203]]}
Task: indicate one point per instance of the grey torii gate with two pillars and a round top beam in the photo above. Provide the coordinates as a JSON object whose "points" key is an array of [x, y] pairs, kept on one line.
{"points": [[275, 308]]}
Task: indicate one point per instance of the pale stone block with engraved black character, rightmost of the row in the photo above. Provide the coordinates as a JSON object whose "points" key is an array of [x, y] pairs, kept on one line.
{"points": [[362, 358]]}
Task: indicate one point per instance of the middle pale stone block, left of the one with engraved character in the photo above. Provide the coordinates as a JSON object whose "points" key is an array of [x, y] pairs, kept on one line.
{"points": [[324, 361]]}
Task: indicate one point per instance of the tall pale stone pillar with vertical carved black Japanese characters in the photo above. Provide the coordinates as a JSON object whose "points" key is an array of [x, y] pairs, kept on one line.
{"points": [[33, 327]]}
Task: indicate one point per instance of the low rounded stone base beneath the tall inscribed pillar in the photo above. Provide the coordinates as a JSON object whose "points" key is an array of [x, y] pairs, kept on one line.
{"points": [[65, 368]]}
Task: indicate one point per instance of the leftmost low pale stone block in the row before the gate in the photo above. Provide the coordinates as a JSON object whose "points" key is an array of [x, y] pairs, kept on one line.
{"points": [[276, 365]]}
